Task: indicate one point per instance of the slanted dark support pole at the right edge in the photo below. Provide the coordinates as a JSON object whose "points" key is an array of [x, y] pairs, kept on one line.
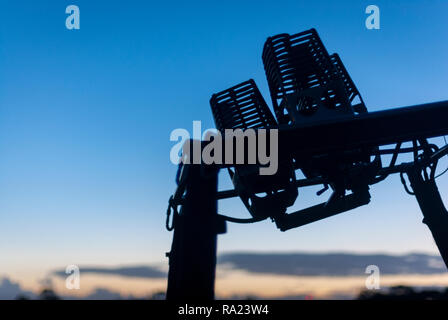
{"points": [[434, 212]]}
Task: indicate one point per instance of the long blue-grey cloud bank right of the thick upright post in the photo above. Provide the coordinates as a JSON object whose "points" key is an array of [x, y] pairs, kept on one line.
{"points": [[334, 264]]}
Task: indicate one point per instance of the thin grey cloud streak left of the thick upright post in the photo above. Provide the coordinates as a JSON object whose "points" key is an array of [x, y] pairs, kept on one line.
{"points": [[130, 271]]}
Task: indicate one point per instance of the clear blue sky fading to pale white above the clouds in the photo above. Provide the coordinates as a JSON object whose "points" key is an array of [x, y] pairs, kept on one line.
{"points": [[86, 116]]}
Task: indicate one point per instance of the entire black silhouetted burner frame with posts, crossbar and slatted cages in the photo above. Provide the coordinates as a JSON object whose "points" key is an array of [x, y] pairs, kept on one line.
{"points": [[325, 132]]}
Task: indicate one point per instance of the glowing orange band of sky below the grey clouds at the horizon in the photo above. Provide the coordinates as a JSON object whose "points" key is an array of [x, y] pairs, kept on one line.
{"points": [[236, 283]]}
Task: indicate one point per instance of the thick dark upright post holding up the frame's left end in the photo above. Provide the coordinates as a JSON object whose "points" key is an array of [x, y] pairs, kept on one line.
{"points": [[192, 260]]}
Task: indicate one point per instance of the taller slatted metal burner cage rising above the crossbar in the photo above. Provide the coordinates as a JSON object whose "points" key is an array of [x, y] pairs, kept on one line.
{"points": [[305, 82]]}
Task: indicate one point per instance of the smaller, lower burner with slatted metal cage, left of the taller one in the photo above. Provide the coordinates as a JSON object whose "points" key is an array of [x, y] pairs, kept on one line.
{"points": [[243, 107]]}
